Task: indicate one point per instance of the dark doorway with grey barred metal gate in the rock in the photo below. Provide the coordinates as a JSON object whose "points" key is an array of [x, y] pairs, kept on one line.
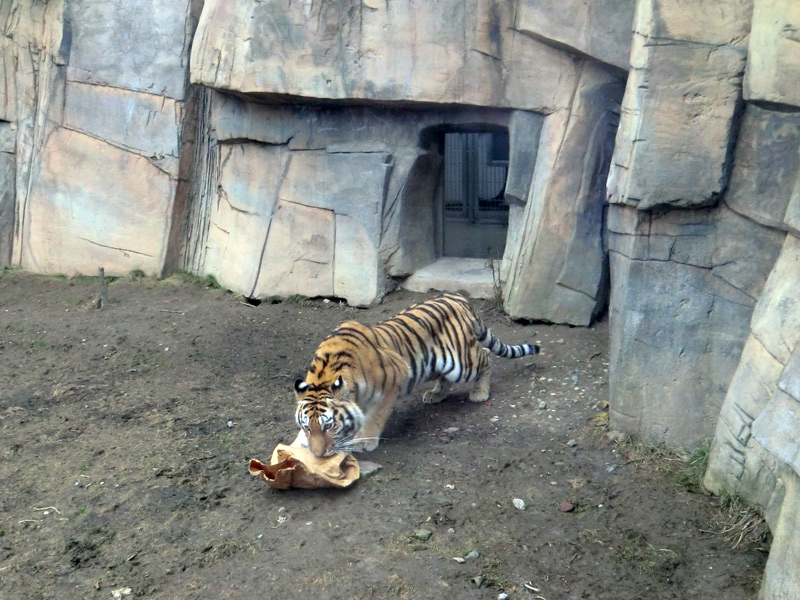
{"points": [[474, 214]]}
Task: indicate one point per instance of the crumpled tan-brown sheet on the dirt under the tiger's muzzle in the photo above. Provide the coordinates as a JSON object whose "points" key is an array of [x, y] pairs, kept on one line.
{"points": [[296, 466]]}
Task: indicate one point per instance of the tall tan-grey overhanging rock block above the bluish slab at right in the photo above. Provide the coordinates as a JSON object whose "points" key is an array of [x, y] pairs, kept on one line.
{"points": [[683, 91]]}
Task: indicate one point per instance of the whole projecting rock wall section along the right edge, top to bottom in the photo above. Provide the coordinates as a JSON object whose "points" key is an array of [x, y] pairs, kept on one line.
{"points": [[705, 253]]}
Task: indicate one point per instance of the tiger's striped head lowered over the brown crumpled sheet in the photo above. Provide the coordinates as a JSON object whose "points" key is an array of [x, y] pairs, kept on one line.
{"points": [[327, 419]]}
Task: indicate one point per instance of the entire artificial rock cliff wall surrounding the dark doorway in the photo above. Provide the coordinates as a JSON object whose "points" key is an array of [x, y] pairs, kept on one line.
{"points": [[297, 148]]}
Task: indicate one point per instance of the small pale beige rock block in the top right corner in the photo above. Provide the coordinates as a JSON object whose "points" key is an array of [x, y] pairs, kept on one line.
{"points": [[773, 60]]}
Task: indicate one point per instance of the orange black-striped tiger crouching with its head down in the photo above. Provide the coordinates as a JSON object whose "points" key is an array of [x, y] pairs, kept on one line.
{"points": [[358, 371]]}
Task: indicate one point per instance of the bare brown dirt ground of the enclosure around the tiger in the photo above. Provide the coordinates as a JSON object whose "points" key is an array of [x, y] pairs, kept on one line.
{"points": [[125, 435]]}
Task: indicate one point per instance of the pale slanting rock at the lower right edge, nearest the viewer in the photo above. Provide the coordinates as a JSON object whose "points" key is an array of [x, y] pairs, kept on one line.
{"points": [[754, 453]]}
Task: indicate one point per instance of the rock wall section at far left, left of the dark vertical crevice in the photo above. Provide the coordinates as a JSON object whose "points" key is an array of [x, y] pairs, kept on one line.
{"points": [[94, 95]]}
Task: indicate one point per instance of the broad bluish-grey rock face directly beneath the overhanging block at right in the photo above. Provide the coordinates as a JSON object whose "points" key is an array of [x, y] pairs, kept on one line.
{"points": [[684, 284]]}
